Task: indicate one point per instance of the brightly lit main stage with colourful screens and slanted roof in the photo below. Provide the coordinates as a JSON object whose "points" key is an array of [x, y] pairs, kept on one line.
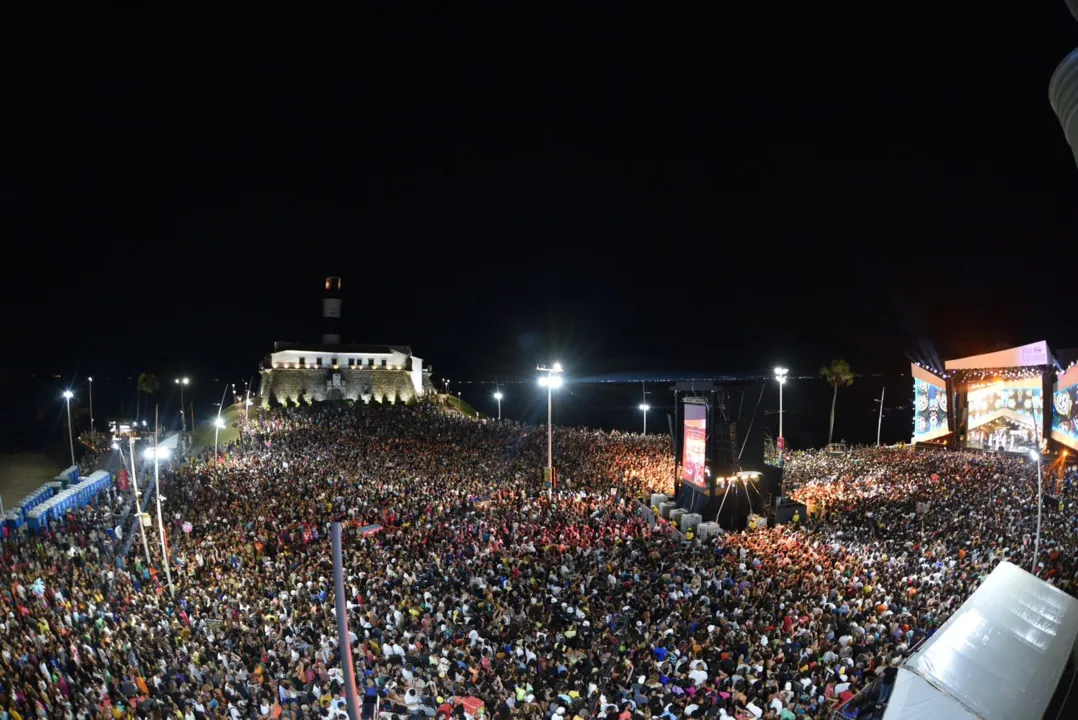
{"points": [[992, 403]]}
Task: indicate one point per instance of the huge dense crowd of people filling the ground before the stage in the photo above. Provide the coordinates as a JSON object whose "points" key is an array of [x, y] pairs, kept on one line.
{"points": [[471, 581]]}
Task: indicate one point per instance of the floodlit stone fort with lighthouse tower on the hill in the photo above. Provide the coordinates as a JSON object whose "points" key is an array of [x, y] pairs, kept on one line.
{"points": [[299, 372]]}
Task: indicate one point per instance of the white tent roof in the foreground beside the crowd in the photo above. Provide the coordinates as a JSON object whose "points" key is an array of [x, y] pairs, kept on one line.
{"points": [[1000, 656]]}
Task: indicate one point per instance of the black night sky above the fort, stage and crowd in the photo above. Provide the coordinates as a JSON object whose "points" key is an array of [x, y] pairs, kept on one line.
{"points": [[653, 192]]}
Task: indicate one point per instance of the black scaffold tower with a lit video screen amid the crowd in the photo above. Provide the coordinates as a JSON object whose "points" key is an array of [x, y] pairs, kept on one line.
{"points": [[718, 452]]}
